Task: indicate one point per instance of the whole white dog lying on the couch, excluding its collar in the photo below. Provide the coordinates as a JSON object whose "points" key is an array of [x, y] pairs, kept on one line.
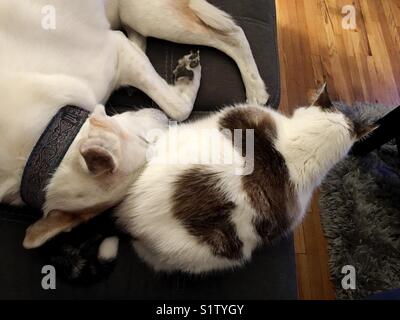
{"points": [[80, 62]]}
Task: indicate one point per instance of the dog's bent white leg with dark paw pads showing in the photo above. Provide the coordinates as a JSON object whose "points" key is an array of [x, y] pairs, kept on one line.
{"points": [[135, 69]]}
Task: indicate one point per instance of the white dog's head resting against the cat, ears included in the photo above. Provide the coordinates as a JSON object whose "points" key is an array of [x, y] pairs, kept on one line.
{"points": [[95, 173]]}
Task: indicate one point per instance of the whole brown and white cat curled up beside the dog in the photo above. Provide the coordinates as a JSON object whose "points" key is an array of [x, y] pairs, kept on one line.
{"points": [[192, 216]]}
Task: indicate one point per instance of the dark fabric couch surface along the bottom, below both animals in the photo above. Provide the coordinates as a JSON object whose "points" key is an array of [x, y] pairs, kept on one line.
{"points": [[271, 275]]}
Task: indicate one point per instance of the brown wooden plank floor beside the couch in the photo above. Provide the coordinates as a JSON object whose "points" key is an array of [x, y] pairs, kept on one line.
{"points": [[358, 65]]}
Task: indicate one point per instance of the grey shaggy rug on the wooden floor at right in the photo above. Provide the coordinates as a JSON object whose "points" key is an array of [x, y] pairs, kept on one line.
{"points": [[360, 213]]}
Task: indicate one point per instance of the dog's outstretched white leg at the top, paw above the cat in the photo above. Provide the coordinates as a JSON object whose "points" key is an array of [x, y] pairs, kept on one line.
{"points": [[200, 23]]}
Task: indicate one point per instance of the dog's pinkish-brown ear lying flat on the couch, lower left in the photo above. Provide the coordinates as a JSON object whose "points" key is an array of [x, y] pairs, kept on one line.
{"points": [[48, 227]]}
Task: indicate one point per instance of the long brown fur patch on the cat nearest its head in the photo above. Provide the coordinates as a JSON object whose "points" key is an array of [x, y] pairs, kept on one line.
{"points": [[268, 187]]}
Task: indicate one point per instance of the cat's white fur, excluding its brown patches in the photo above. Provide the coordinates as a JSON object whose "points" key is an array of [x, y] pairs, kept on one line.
{"points": [[311, 142]]}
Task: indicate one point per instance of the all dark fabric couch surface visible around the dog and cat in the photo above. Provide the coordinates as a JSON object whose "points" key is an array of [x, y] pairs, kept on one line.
{"points": [[272, 272]]}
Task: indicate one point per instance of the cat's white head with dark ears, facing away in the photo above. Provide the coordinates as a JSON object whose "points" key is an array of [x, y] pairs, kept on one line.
{"points": [[318, 136]]}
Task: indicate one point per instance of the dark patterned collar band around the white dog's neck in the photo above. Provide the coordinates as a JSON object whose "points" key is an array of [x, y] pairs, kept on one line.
{"points": [[49, 152]]}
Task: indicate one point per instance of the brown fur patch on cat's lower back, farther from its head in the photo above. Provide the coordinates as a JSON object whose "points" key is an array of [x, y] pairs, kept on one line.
{"points": [[206, 212]]}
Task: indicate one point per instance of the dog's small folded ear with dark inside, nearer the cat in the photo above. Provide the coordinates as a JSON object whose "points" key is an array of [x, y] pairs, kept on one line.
{"points": [[98, 157]]}
